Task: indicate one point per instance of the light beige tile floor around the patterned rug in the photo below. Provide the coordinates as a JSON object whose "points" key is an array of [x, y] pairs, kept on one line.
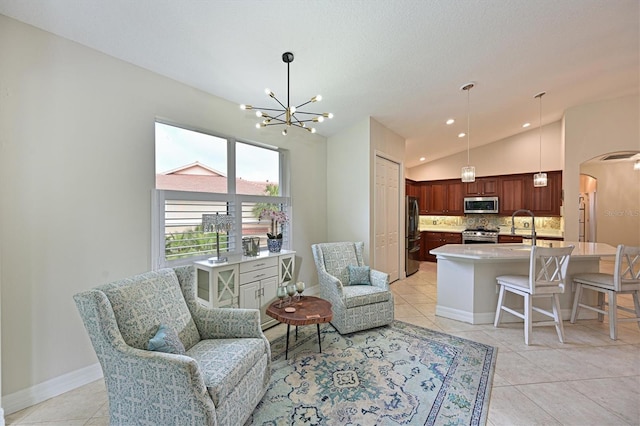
{"points": [[588, 380]]}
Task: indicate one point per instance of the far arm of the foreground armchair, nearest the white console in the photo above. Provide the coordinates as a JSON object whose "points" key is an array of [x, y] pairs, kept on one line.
{"points": [[223, 323]]}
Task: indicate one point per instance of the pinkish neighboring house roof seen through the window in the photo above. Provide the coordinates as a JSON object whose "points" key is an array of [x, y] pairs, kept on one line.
{"points": [[197, 177]]}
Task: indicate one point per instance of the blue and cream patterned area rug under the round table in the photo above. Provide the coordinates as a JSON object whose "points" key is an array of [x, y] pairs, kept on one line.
{"points": [[395, 375]]}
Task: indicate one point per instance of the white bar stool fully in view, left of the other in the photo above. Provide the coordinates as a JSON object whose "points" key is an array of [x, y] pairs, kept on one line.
{"points": [[546, 279]]}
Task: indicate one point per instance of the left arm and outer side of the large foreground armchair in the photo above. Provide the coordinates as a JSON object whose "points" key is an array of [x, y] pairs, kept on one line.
{"points": [[132, 374]]}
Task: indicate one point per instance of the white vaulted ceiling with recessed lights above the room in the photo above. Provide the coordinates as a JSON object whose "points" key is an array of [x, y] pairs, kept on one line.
{"points": [[401, 62]]}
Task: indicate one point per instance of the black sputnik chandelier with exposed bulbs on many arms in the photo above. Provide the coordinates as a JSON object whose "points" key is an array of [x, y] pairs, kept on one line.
{"points": [[288, 115]]}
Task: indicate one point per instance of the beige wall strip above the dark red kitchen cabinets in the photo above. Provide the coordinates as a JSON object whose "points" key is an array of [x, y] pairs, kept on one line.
{"points": [[516, 154]]}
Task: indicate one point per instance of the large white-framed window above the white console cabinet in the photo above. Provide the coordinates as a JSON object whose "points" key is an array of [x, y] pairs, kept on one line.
{"points": [[195, 178]]}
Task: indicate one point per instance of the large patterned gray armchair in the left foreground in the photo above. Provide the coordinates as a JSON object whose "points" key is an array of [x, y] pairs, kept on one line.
{"points": [[218, 368]]}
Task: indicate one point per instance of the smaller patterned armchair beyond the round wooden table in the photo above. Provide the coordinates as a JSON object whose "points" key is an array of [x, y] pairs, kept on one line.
{"points": [[355, 307]]}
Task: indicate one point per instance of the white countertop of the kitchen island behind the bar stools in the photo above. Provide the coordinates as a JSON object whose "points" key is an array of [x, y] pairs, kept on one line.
{"points": [[518, 251]]}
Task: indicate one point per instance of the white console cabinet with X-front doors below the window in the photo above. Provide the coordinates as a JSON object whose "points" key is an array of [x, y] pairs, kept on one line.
{"points": [[245, 281]]}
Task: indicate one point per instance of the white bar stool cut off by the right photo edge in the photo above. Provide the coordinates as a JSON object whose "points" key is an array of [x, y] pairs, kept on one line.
{"points": [[624, 280]]}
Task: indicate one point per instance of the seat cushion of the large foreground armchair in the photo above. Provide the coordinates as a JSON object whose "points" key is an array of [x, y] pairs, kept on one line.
{"points": [[224, 362]]}
